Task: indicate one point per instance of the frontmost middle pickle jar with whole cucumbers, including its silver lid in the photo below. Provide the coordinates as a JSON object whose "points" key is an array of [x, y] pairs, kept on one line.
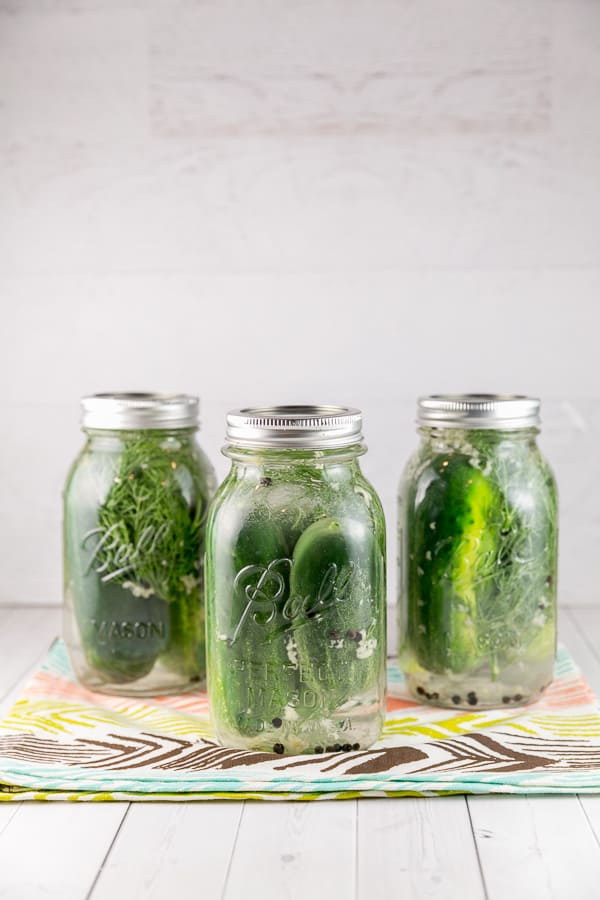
{"points": [[295, 569]]}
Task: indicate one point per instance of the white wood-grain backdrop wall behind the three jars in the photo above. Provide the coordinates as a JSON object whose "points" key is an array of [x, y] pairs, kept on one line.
{"points": [[322, 200]]}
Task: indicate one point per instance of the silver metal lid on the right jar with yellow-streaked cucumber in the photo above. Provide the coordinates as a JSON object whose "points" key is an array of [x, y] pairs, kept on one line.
{"points": [[502, 411]]}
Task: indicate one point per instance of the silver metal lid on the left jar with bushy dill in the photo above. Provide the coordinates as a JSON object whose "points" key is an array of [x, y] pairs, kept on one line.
{"points": [[125, 412]]}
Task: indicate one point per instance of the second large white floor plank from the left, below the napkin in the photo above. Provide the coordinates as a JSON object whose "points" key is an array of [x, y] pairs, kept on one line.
{"points": [[165, 844]]}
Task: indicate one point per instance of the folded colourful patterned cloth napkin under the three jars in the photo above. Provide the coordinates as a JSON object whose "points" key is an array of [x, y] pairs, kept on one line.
{"points": [[61, 741]]}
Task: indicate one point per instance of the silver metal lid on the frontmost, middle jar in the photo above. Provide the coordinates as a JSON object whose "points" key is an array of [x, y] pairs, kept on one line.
{"points": [[302, 427]]}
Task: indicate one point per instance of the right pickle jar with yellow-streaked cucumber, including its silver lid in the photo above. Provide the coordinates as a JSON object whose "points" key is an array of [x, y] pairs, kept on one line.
{"points": [[478, 554]]}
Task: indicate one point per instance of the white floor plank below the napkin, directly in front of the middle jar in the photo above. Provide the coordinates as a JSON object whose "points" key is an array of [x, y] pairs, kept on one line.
{"points": [[295, 850]]}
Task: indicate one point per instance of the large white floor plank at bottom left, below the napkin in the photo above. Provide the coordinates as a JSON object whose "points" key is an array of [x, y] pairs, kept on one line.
{"points": [[67, 842]]}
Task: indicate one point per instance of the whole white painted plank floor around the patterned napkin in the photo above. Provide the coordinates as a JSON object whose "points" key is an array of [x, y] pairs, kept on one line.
{"points": [[449, 848]]}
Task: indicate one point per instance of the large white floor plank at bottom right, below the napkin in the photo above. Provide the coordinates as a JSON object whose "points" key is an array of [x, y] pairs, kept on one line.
{"points": [[535, 847]]}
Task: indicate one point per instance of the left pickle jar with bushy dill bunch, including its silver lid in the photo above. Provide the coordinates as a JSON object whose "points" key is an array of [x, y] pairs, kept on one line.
{"points": [[135, 507]]}
